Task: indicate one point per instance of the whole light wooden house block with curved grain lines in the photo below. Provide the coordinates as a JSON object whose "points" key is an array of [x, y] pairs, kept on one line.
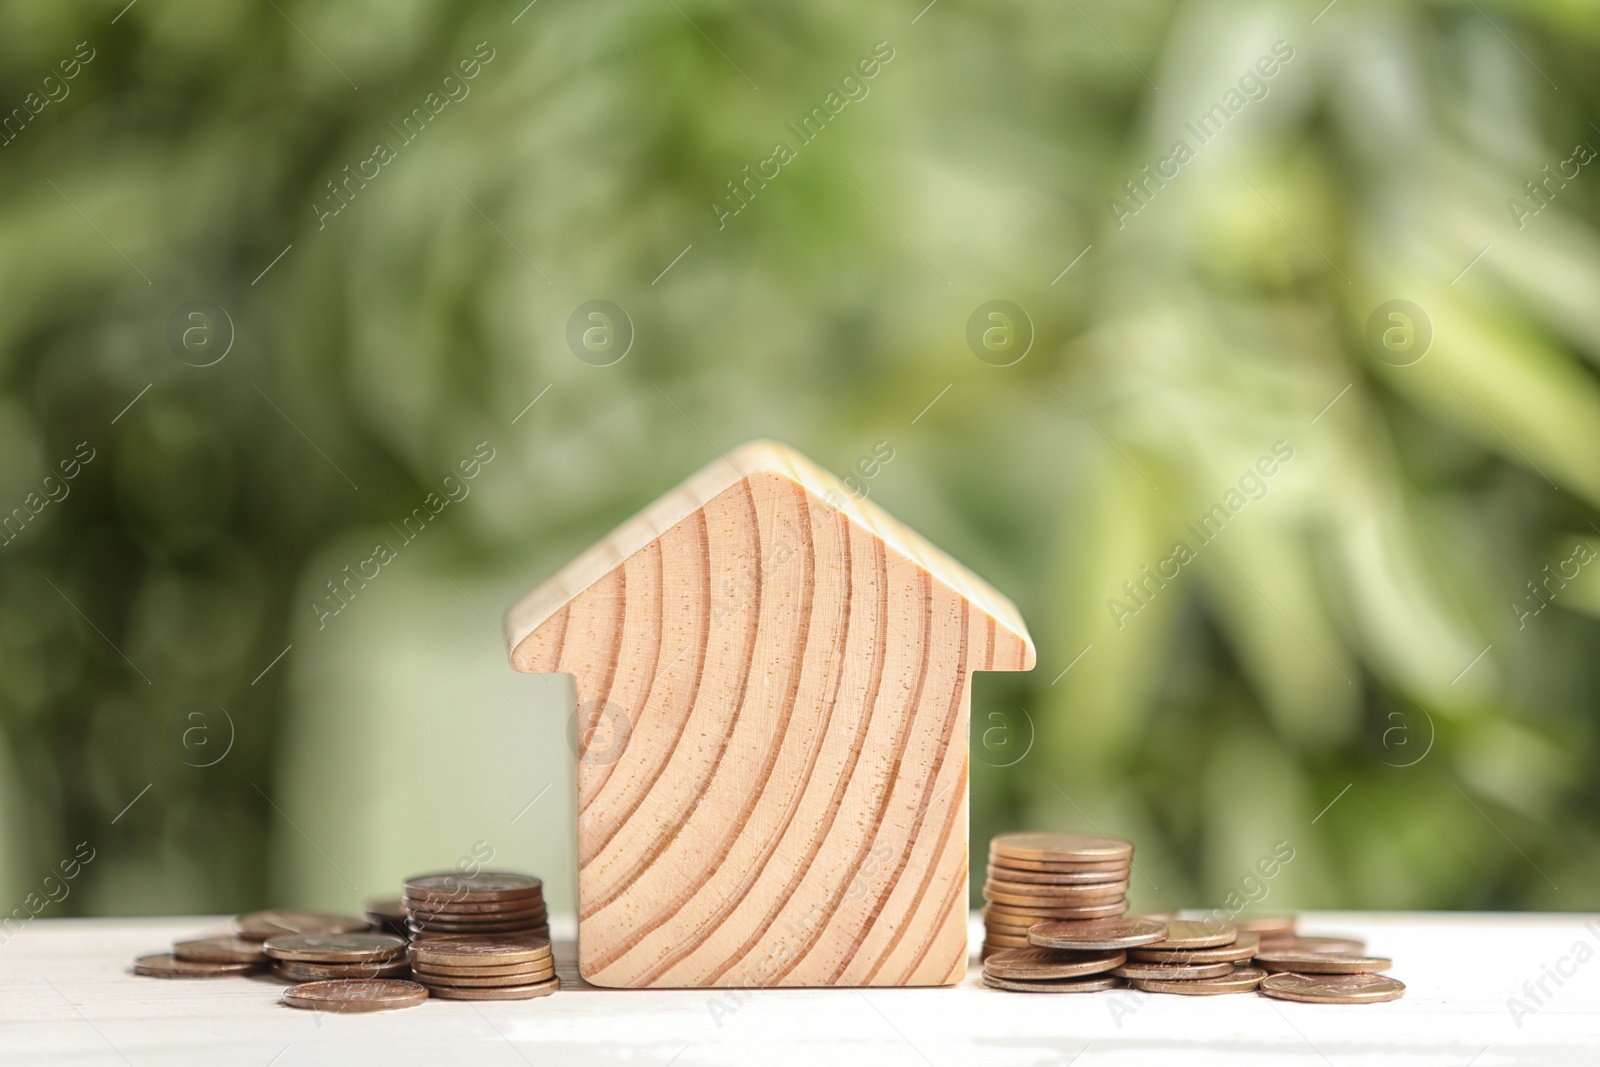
{"points": [[775, 684]]}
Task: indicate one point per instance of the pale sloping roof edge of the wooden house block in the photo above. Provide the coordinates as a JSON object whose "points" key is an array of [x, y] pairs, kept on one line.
{"points": [[722, 474]]}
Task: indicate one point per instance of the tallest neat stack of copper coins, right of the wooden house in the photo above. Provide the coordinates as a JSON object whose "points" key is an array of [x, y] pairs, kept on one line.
{"points": [[1050, 877]]}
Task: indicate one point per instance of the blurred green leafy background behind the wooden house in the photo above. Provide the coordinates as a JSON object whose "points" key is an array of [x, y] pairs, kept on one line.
{"points": [[1385, 658]]}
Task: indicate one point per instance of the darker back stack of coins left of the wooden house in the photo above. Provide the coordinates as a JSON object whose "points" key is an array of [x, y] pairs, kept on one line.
{"points": [[489, 903]]}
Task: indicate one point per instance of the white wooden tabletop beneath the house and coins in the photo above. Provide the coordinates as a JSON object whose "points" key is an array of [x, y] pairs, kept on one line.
{"points": [[68, 997]]}
